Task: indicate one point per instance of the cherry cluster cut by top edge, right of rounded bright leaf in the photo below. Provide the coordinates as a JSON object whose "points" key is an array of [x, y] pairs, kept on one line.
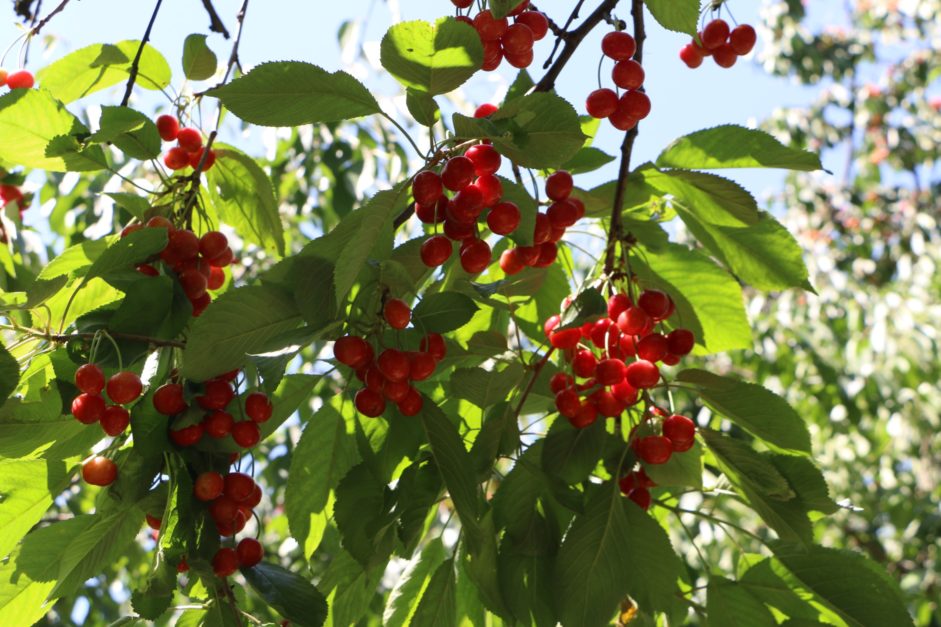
{"points": [[502, 40]]}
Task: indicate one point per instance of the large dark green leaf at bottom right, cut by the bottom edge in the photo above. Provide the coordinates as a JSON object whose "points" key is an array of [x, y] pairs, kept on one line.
{"points": [[857, 589]]}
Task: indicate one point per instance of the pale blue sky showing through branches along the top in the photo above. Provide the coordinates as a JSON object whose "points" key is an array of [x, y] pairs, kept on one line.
{"points": [[684, 100]]}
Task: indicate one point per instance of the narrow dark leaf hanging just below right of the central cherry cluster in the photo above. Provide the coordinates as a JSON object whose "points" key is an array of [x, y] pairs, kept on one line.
{"points": [[455, 464]]}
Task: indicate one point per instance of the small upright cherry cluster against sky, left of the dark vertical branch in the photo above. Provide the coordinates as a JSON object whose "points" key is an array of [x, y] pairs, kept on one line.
{"points": [[626, 110]]}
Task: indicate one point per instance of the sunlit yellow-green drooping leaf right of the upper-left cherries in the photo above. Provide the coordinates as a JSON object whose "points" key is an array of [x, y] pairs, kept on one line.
{"points": [[243, 196]]}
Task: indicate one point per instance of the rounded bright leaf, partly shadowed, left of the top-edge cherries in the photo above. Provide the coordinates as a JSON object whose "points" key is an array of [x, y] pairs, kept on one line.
{"points": [[434, 59]]}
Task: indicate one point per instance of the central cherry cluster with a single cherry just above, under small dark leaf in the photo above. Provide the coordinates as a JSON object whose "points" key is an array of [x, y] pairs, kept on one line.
{"points": [[388, 377]]}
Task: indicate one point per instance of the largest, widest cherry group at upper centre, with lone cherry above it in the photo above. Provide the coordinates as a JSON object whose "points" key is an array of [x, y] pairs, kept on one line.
{"points": [[477, 197]]}
